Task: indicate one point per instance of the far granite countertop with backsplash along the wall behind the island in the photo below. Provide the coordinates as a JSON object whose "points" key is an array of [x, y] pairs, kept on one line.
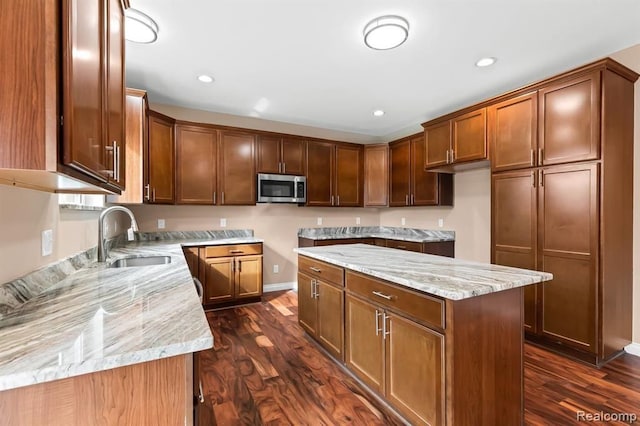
{"points": [[387, 232]]}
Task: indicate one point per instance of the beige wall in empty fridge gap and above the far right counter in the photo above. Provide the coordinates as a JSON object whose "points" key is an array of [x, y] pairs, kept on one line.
{"points": [[470, 215]]}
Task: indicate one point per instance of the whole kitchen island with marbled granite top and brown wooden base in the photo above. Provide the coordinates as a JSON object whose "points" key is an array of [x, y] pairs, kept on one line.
{"points": [[439, 339]]}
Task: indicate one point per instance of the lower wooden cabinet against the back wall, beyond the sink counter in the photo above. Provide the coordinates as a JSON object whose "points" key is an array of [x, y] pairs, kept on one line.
{"points": [[229, 273]]}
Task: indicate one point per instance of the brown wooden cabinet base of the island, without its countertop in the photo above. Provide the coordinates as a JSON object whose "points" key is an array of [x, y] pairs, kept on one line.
{"points": [[436, 361]]}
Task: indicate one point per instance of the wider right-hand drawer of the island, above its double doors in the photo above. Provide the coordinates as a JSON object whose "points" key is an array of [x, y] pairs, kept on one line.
{"points": [[416, 305]]}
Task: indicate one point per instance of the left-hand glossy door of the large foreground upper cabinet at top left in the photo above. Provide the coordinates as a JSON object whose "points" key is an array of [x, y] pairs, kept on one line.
{"points": [[83, 146]]}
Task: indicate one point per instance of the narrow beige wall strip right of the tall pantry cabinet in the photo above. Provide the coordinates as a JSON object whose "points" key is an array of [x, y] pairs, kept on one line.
{"points": [[631, 58]]}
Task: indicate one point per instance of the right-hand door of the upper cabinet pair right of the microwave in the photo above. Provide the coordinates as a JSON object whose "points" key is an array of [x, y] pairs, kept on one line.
{"points": [[348, 181]]}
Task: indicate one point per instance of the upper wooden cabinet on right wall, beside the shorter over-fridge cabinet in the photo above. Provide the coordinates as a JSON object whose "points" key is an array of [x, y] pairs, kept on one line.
{"points": [[410, 184]]}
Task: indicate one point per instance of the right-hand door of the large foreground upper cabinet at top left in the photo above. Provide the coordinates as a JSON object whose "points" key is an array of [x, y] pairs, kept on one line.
{"points": [[115, 91]]}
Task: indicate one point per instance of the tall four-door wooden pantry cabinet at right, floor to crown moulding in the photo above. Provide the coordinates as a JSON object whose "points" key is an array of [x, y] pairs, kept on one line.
{"points": [[562, 163]]}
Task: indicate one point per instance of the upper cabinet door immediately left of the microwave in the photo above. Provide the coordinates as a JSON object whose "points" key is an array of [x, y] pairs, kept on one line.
{"points": [[237, 168]]}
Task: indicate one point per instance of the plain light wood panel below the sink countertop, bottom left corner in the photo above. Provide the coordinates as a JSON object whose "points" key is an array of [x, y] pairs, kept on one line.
{"points": [[154, 393]]}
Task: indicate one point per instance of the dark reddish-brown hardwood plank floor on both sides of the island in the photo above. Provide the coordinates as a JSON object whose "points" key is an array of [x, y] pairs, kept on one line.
{"points": [[263, 369]]}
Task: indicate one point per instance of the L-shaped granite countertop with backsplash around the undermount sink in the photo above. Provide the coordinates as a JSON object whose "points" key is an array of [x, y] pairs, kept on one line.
{"points": [[79, 316]]}
